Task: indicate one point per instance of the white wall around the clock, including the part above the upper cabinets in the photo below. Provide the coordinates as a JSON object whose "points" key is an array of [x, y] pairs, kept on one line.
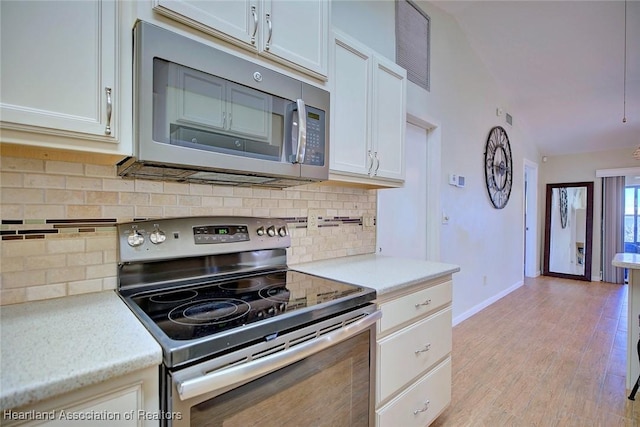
{"points": [[487, 243]]}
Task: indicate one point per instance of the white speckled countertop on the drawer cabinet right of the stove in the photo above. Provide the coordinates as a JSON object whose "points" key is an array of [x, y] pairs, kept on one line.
{"points": [[382, 273]]}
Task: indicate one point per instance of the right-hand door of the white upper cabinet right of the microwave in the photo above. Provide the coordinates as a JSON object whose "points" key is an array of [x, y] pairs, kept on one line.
{"points": [[389, 118]]}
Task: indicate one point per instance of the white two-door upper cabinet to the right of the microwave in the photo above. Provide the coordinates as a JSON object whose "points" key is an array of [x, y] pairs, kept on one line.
{"points": [[368, 115]]}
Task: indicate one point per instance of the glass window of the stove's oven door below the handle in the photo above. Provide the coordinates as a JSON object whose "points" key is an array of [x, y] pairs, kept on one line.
{"points": [[329, 388]]}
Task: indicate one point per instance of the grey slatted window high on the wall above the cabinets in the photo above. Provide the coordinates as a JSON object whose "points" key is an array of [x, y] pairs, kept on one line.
{"points": [[413, 42]]}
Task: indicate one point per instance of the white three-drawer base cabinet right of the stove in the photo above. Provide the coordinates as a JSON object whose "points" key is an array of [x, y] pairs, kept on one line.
{"points": [[413, 381]]}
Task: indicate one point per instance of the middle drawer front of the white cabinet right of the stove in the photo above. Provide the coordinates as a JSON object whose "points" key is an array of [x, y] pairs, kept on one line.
{"points": [[404, 355]]}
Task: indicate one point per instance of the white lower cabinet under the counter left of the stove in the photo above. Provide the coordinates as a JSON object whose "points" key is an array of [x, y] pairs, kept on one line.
{"points": [[131, 400]]}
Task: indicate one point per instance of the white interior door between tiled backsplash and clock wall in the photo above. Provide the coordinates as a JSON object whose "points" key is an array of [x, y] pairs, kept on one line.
{"points": [[402, 212]]}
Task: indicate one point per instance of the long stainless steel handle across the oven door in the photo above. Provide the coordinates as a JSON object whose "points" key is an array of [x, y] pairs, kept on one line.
{"points": [[222, 381]]}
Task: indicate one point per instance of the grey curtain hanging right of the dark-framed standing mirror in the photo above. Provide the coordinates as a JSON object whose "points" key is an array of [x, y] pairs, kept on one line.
{"points": [[612, 227]]}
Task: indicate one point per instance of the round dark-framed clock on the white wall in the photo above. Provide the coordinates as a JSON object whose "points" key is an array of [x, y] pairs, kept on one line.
{"points": [[498, 167]]}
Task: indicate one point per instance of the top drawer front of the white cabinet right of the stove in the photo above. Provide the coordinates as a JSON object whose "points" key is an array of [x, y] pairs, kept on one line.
{"points": [[411, 306]]}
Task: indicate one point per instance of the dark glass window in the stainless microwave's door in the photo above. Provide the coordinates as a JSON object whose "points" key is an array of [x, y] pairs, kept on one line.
{"points": [[205, 112]]}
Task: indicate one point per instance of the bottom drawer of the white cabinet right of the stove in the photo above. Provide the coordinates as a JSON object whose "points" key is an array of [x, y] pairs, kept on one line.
{"points": [[421, 403]]}
